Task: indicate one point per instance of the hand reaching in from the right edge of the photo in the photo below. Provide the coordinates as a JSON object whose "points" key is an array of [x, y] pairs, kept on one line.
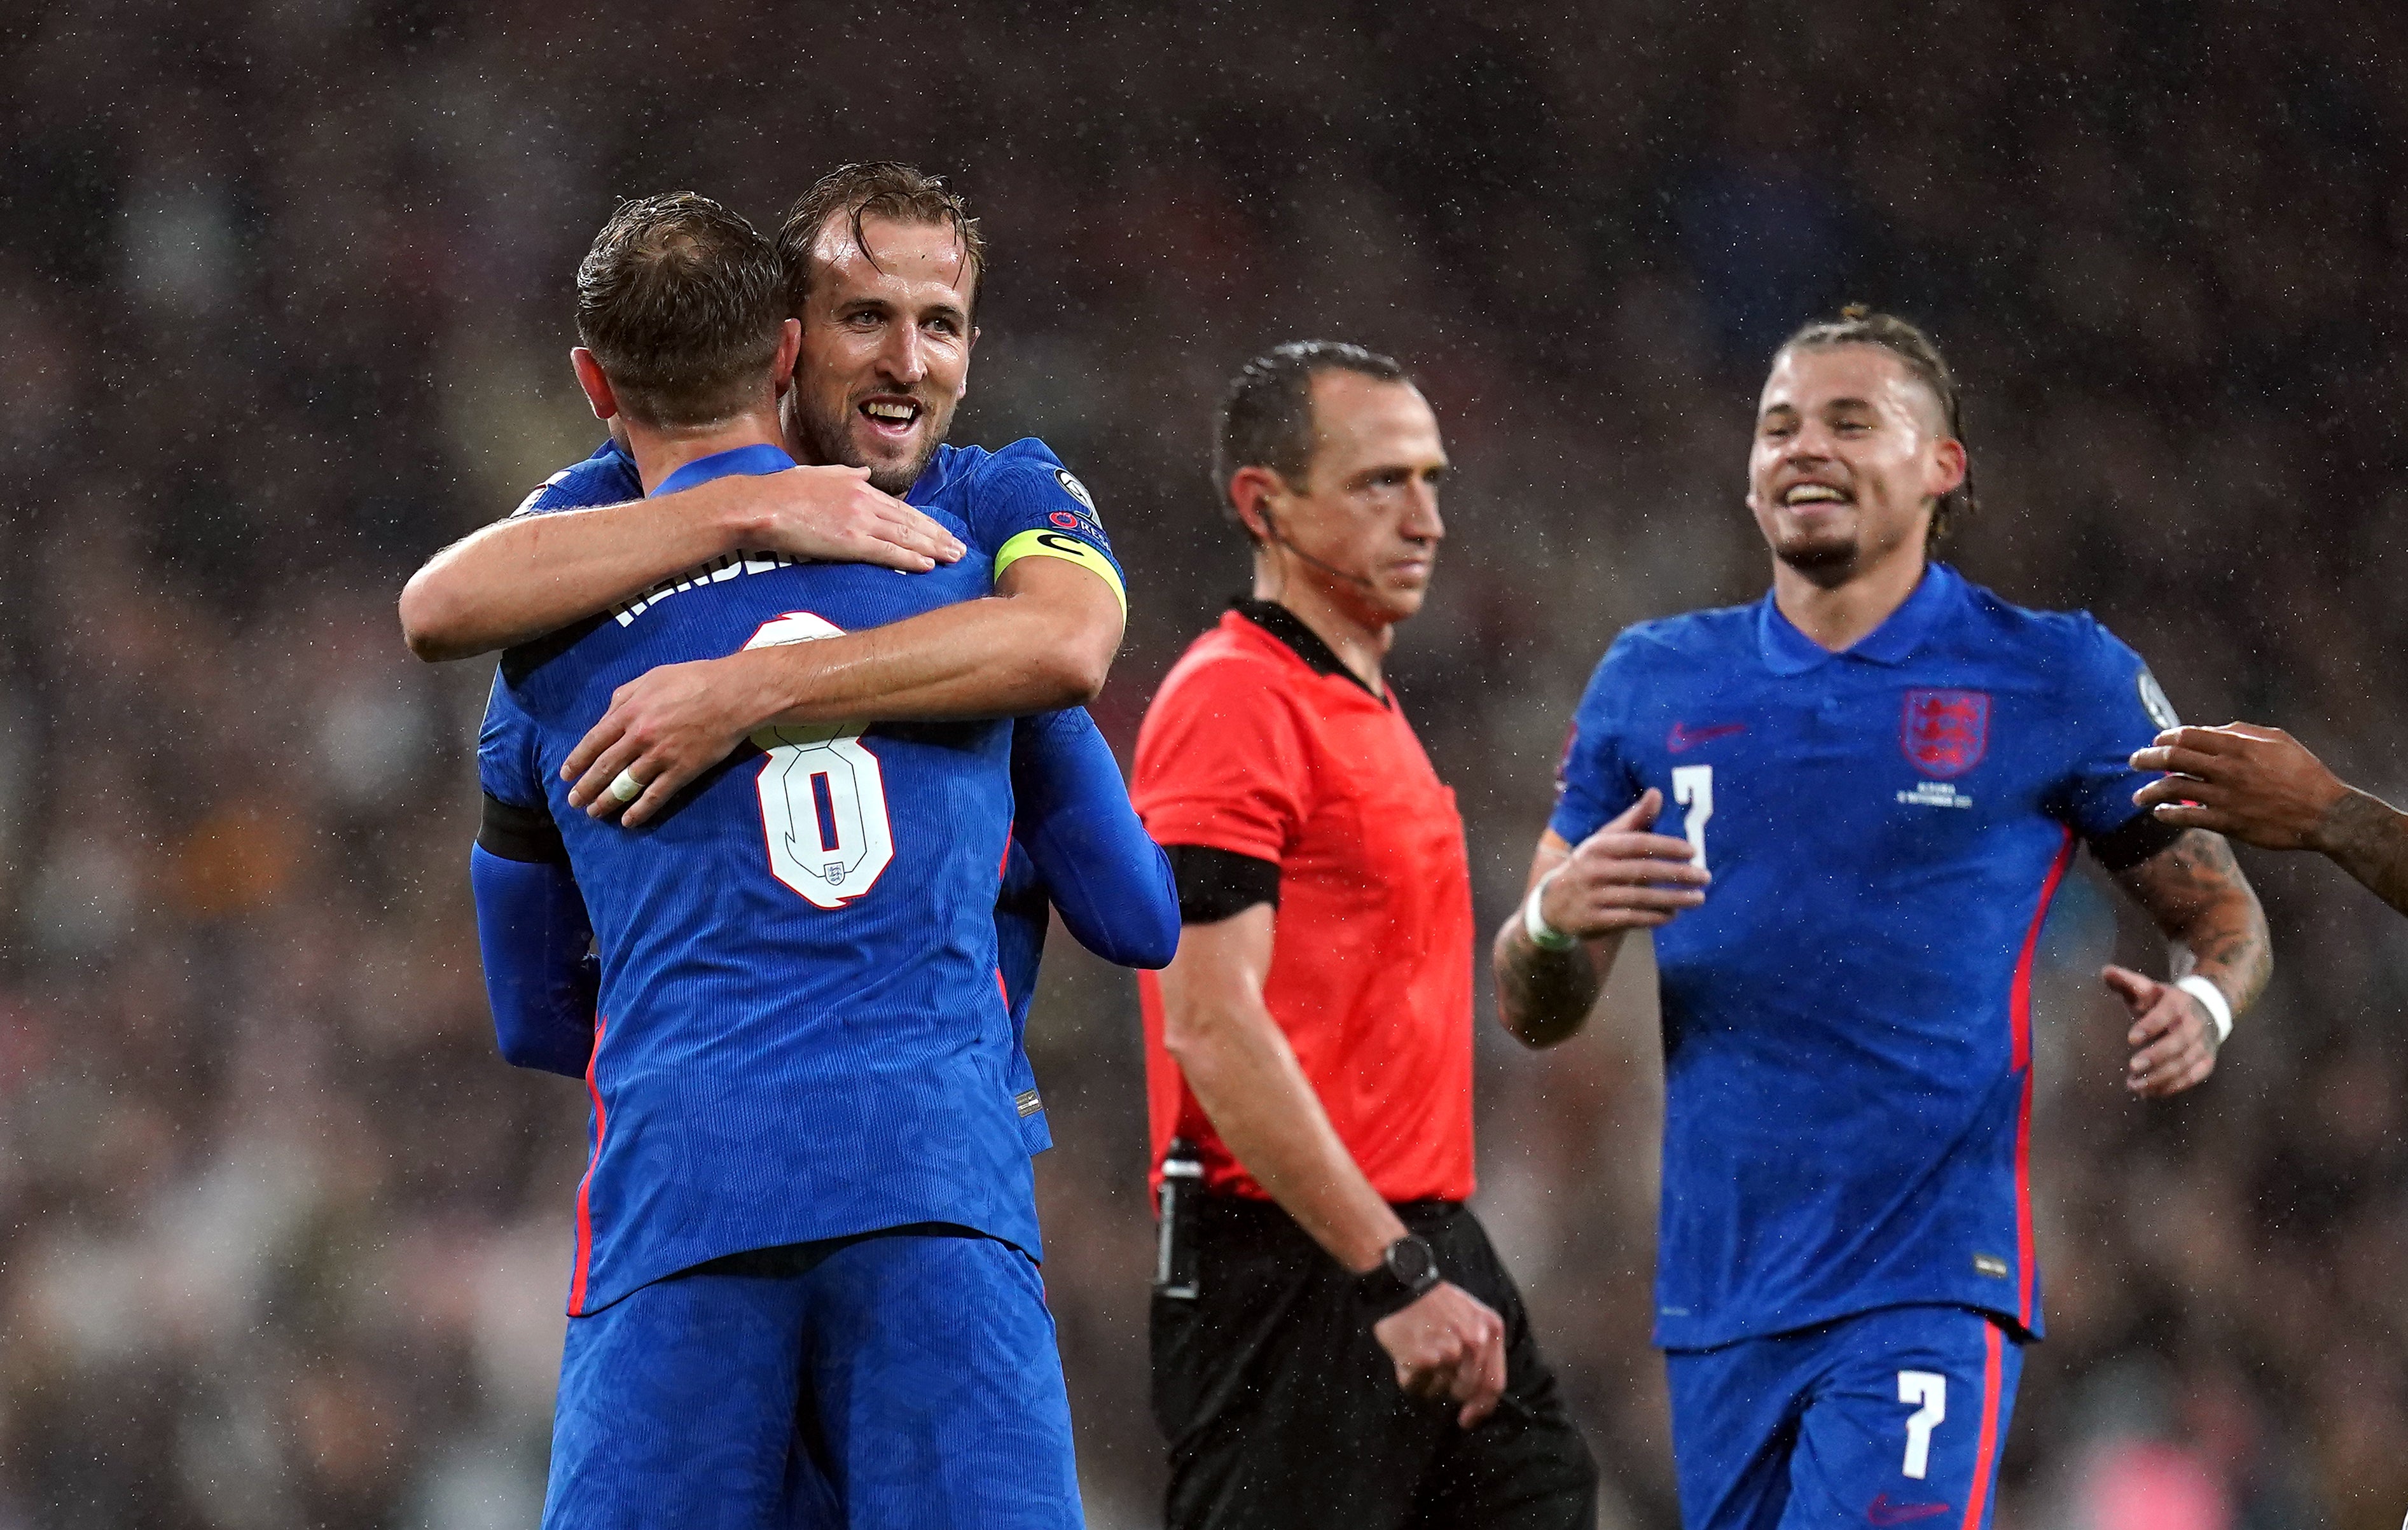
{"points": [[2253, 784]]}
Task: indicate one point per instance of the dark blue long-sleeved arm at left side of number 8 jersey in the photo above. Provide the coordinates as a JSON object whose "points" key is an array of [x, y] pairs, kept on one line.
{"points": [[536, 941]]}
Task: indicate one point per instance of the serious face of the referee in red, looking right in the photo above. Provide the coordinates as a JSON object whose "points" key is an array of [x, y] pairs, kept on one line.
{"points": [[1367, 517]]}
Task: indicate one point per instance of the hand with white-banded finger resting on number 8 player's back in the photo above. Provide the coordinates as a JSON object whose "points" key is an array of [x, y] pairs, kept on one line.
{"points": [[666, 729]]}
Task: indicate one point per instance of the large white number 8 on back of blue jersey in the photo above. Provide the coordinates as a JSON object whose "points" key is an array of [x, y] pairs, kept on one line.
{"points": [[822, 794]]}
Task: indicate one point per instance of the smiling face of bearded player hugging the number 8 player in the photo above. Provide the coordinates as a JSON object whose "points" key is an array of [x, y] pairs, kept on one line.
{"points": [[885, 348]]}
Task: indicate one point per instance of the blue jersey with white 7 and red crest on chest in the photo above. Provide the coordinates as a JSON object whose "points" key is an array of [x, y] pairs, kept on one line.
{"points": [[1848, 1016]]}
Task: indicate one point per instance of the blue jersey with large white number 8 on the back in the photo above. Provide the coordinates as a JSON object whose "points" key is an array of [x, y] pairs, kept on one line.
{"points": [[801, 1020]]}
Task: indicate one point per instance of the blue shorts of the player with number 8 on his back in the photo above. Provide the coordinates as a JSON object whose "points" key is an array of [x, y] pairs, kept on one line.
{"points": [[897, 1382]]}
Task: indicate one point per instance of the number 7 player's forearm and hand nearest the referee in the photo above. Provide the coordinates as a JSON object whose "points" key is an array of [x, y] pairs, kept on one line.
{"points": [[1554, 953]]}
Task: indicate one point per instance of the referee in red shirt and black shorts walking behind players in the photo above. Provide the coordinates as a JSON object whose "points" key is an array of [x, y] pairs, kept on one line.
{"points": [[1340, 1343]]}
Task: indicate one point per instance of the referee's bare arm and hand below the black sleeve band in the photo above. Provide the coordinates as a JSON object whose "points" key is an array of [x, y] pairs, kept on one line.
{"points": [[1246, 1076]]}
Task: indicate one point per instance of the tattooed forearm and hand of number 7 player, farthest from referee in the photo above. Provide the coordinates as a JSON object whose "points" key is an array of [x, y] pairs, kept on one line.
{"points": [[2217, 929]]}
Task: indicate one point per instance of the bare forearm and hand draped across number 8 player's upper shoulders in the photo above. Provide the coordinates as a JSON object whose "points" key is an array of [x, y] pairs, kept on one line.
{"points": [[533, 575]]}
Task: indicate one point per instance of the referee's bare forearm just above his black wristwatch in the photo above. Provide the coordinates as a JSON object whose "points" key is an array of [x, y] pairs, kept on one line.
{"points": [[1256, 1095]]}
